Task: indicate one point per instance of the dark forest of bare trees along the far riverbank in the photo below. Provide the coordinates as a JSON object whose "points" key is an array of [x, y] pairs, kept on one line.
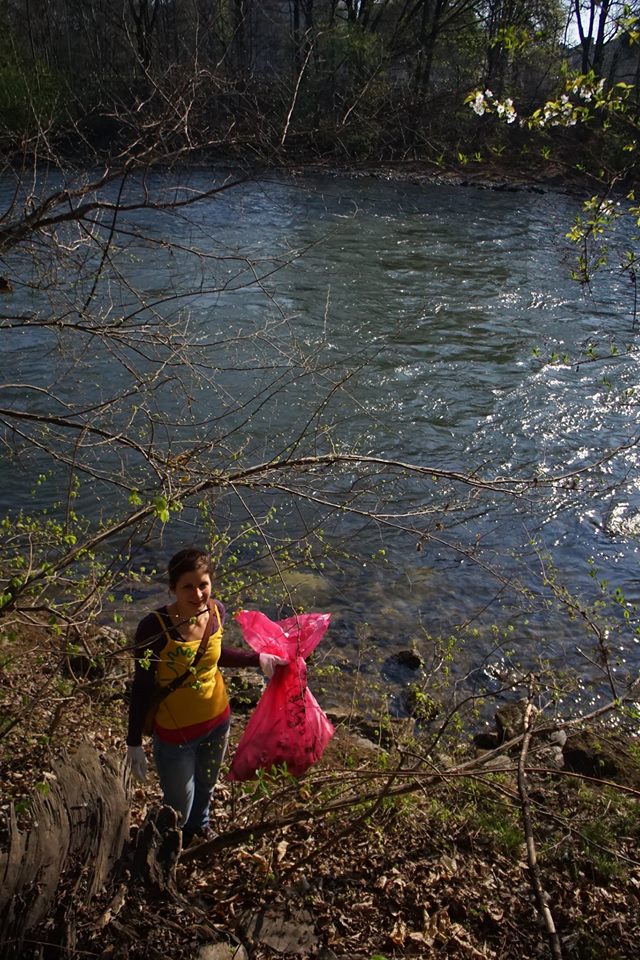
{"points": [[379, 81]]}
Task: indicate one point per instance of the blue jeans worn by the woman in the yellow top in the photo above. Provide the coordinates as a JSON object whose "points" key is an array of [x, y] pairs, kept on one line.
{"points": [[188, 773]]}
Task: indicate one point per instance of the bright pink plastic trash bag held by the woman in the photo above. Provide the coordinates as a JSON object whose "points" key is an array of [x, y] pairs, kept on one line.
{"points": [[288, 725]]}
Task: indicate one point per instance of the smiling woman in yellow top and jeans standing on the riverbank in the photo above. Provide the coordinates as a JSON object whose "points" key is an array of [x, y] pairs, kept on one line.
{"points": [[179, 648]]}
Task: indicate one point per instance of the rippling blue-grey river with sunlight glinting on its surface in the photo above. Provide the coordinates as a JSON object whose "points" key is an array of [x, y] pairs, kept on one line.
{"points": [[441, 311]]}
